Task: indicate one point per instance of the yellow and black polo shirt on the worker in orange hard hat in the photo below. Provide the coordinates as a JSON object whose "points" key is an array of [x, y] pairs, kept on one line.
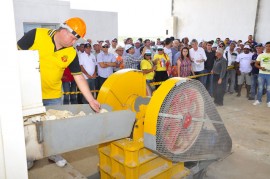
{"points": [[52, 62]]}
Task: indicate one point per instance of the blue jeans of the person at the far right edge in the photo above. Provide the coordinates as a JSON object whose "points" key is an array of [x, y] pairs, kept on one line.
{"points": [[262, 80]]}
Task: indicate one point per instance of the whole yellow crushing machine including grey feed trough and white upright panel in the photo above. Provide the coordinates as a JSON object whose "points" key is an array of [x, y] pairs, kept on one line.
{"points": [[174, 133]]}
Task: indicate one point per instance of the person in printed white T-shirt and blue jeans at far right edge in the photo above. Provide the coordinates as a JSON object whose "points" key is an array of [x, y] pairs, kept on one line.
{"points": [[263, 64]]}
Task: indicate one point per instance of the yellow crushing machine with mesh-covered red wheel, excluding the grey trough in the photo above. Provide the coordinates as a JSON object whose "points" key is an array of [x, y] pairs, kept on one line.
{"points": [[177, 132]]}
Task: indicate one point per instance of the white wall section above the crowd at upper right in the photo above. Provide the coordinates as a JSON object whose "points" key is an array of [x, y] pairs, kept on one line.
{"points": [[208, 19]]}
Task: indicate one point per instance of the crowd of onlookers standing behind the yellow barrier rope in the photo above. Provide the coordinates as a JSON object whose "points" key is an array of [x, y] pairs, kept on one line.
{"points": [[222, 66]]}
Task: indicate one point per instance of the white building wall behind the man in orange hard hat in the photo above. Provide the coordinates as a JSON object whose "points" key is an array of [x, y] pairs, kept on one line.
{"points": [[100, 25]]}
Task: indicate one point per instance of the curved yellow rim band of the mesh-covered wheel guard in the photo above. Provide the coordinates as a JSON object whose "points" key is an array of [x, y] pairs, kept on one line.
{"points": [[151, 116]]}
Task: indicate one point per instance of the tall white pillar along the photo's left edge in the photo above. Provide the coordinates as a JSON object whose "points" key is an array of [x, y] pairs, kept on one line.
{"points": [[12, 141]]}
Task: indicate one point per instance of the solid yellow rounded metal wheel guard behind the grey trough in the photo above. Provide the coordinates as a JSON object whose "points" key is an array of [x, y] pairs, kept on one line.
{"points": [[122, 88]]}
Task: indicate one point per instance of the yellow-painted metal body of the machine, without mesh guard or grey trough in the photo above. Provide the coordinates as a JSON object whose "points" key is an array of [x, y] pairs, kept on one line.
{"points": [[126, 158]]}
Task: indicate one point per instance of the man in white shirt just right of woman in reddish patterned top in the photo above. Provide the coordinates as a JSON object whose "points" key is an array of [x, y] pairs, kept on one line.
{"points": [[198, 57]]}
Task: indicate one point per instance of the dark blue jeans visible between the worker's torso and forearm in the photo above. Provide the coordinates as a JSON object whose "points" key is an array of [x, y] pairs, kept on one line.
{"points": [[69, 87]]}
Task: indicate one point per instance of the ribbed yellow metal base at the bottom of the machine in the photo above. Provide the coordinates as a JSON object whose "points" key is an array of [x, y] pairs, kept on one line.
{"points": [[129, 159]]}
